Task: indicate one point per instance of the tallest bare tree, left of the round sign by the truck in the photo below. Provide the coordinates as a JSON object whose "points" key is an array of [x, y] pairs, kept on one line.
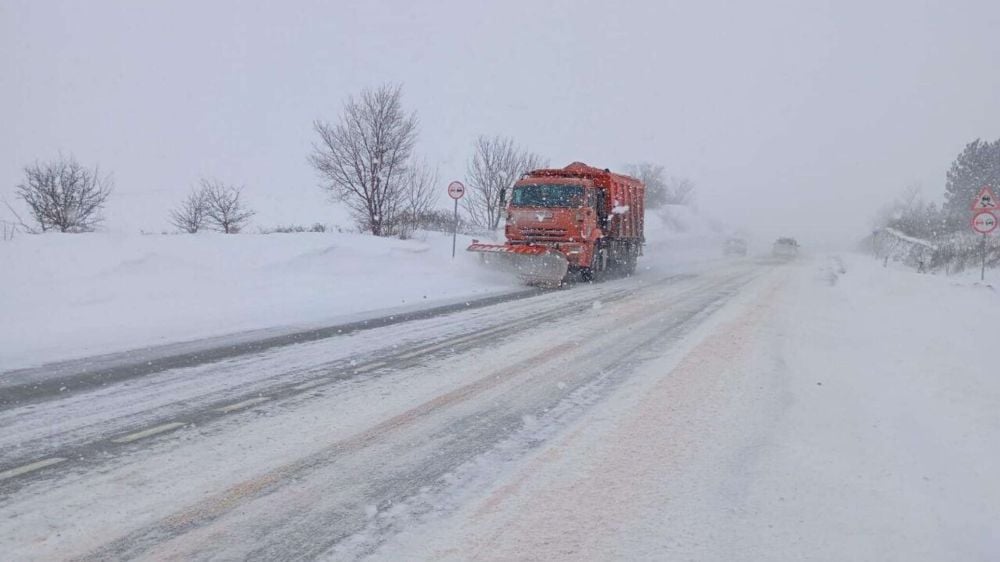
{"points": [[363, 158]]}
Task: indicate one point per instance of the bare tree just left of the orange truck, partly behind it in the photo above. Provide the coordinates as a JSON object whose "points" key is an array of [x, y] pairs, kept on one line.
{"points": [[497, 162]]}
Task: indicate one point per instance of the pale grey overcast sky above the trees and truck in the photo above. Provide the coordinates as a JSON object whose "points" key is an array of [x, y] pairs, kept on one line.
{"points": [[796, 117]]}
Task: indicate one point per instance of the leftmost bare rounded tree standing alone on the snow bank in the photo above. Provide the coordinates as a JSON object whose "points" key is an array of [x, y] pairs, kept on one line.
{"points": [[63, 195]]}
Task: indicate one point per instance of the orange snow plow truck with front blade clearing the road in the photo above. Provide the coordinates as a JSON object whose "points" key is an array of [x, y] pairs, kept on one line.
{"points": [[576, 221]]}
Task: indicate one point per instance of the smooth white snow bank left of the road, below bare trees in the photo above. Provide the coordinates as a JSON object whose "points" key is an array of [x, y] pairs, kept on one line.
{"points": [[67, 296]]}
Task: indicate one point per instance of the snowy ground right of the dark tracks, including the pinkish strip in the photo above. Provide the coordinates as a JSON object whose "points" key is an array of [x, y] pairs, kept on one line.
{"points": [[849, 412]]}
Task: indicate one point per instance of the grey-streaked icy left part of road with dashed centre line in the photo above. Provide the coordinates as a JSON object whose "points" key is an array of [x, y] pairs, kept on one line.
{"points": [[299, 449]]}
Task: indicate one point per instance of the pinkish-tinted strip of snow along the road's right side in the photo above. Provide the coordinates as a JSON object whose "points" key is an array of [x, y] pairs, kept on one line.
{"points": [[581, 515]]}
